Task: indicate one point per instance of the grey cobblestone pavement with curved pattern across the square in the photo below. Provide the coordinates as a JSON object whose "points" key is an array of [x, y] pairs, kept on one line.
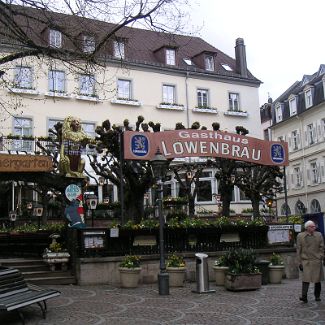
{"points": [[95, 305]]}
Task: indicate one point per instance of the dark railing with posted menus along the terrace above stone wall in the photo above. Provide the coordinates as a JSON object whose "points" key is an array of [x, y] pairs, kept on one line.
{"points": [[101, 242]]}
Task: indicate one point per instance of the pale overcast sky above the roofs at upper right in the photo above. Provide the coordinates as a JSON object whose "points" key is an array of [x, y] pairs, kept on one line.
{"points": [[284, 39]]}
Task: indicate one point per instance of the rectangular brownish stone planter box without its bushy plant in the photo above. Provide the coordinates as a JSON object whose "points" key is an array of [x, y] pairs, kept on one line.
{"points": [[241, 282]]}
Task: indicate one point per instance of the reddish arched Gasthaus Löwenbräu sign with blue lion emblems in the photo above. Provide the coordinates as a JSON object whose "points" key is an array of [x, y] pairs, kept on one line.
{"points": [[202, 143]]}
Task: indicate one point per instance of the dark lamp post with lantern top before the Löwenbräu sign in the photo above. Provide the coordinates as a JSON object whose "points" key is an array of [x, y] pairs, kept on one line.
{"points": [[159, 165]]}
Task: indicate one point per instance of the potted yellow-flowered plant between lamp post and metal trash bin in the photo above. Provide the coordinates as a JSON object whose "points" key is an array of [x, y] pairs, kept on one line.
{"points": [[176, 269]]}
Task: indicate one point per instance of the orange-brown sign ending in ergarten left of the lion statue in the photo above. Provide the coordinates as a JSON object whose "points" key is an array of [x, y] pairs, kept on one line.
{"points": [[25, 163]]}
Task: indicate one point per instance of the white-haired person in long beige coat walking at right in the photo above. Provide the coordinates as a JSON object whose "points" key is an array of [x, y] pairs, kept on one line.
{"points": [[310, 253]]}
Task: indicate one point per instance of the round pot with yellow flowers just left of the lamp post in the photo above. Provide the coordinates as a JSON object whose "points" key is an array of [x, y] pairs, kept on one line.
{"points": [[130, 271]]}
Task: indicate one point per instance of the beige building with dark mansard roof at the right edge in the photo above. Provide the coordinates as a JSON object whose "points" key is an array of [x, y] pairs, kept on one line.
{"points": [[299, 119]]}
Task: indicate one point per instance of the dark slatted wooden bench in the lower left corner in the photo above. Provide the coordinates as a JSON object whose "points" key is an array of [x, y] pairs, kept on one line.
{"points": [[16, 293]]}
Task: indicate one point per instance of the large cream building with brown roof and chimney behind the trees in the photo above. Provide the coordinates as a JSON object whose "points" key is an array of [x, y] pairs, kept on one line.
{"points": [[165, 78]]}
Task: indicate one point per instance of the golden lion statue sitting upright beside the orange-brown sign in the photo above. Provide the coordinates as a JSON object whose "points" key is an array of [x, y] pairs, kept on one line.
{"points": [[71, 164]]}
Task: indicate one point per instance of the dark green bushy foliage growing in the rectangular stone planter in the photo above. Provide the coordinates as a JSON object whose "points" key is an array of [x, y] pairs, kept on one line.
{"points": [[241, 260]]}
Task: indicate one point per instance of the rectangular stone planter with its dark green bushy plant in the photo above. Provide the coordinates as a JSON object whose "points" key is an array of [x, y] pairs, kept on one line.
{"points": [[242, 274]]}
